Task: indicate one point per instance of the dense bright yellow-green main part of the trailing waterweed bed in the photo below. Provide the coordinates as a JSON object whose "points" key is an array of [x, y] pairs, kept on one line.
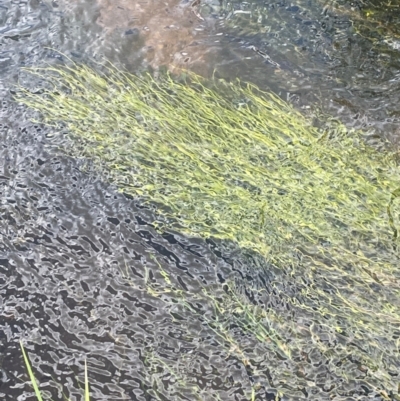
{"points": [[242, 166]]}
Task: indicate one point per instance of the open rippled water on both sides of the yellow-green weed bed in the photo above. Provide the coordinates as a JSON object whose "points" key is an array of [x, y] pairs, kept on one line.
{"points": [[83, 274]]}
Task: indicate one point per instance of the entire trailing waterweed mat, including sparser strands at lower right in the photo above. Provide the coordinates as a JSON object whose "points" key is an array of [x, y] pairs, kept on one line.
{"points": [[230, 162]]}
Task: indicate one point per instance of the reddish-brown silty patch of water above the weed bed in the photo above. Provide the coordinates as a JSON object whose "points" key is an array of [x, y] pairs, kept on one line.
{"points": [[172, 34]]}
